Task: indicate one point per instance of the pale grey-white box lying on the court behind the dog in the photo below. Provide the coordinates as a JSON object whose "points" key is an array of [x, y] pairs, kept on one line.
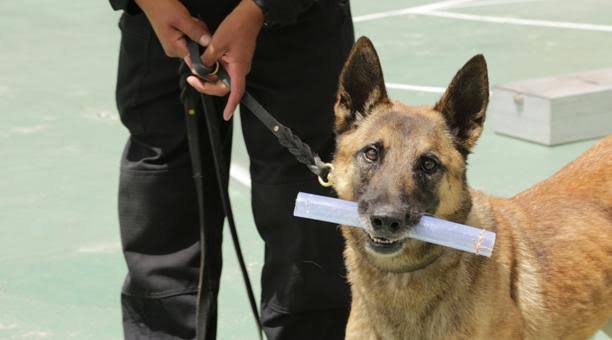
{"points": [[554, 110]]}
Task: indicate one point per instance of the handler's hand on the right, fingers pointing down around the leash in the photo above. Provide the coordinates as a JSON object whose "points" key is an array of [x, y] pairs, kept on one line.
{"points": [[232, 44]]}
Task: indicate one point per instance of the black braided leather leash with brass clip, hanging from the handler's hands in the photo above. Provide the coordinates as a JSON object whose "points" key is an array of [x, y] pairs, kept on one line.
{"points": [[206, 314]]}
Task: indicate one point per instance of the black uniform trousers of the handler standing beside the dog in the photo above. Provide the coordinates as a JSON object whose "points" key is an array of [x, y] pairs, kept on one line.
{"points": [[294, 75]]}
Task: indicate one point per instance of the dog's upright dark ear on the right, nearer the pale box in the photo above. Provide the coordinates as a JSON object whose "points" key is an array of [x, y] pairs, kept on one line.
{"points": [[464, 103]]}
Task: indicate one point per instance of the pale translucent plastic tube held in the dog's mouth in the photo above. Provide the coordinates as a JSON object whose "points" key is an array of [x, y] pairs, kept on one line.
{"points": [[429, 229]]}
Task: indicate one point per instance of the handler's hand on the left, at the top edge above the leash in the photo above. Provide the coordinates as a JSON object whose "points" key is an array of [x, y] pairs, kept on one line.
{"points": [[172, 22]]}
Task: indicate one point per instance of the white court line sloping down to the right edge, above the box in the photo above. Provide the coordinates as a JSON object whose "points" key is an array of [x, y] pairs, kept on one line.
{"points": [[518, 21]]}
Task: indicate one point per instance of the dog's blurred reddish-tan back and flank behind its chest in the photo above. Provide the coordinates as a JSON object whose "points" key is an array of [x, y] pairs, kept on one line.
{"points": [[567, 228]]}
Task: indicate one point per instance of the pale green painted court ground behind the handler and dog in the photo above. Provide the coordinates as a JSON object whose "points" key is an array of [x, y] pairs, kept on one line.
{"points": [[60, 139]]}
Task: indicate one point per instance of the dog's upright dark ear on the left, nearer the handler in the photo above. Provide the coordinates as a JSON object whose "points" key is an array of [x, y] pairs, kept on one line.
{"points": [[361, 87]]}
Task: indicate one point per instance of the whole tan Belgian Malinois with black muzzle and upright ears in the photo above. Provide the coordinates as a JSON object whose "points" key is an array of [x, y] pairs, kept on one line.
{"points": [[550, 276]]}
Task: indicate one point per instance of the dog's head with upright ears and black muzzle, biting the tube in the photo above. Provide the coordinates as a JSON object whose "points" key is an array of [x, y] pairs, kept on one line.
{"points": [[400, 162]]}
